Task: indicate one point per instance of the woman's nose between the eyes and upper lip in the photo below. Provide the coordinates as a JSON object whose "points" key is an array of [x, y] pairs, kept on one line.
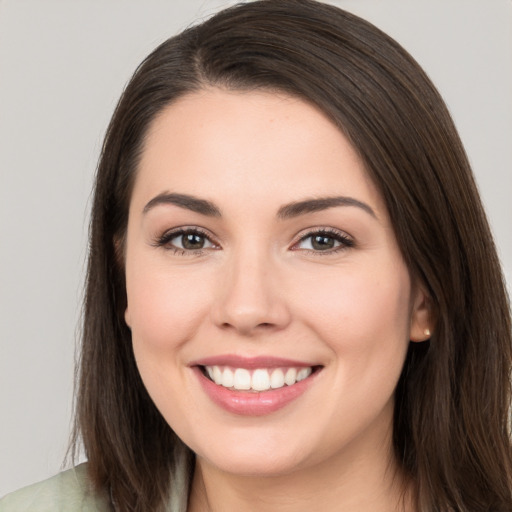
{"points": [[250, 298]]}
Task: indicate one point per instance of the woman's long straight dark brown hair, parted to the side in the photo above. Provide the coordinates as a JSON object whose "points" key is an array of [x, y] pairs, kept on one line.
{"points": [[451, 423]]}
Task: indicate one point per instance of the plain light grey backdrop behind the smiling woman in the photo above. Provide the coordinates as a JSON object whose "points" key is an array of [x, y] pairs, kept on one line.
{"points": [[63, 65]]}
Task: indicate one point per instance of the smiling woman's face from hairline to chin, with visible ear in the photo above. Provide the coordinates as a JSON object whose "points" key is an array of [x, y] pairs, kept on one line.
{"points": [[260, 255]]}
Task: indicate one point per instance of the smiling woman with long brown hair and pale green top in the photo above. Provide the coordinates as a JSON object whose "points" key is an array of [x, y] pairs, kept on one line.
{"points": [[293, 297]]}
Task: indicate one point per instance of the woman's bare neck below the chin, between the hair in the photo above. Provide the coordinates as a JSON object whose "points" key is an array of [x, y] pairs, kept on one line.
{"points": [[357, 479]]}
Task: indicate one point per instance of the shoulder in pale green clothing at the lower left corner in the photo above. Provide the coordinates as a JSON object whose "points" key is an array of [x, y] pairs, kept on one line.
{"points": [[69, 491]]}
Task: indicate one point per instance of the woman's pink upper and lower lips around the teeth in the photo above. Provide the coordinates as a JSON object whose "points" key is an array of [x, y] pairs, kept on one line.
{"points": [[250, 403]]}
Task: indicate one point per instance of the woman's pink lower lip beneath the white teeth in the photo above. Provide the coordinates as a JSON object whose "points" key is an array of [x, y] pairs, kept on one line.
{"points": [[253, 403]]}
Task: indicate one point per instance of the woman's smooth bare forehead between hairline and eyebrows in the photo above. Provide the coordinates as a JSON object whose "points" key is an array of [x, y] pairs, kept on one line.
{"points": [[249, 145]]}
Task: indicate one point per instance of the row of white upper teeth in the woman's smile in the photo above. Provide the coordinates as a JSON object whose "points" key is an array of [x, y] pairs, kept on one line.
{"points": [[261, 379]]}
